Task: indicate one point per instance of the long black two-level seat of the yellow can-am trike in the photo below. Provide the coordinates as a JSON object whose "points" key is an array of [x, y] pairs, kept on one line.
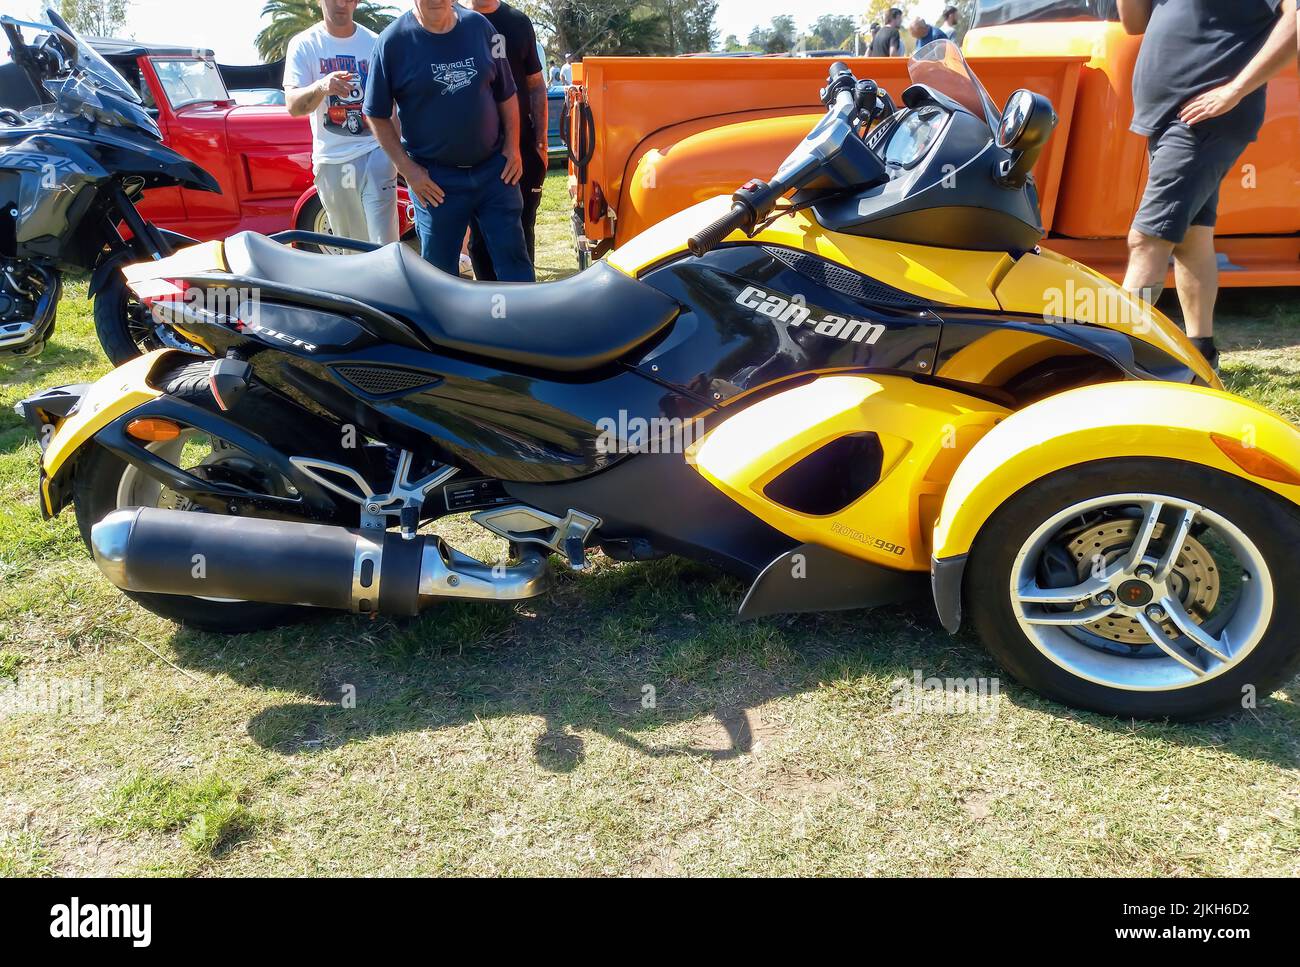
{"points": [[582, 323]]}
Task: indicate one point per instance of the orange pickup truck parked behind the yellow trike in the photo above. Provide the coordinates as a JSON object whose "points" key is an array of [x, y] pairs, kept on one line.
{"points": [[652, 136]]}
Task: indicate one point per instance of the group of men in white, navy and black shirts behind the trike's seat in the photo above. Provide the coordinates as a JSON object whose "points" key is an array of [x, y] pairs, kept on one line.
{"points": [[449, 98]]}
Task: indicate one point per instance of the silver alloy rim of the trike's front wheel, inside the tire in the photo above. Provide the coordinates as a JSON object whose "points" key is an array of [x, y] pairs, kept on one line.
{"points": [[1176, 596]]}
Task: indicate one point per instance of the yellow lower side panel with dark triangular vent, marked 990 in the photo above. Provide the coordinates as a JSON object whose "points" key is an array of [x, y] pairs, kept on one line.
{"points": [[925, 432]]}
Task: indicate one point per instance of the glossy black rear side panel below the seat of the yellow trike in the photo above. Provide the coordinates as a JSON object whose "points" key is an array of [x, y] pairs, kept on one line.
{"points": [[510, 423]]}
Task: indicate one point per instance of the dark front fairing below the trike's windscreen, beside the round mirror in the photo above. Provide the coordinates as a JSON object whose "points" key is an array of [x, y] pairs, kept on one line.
{"points": [[950, 197]]}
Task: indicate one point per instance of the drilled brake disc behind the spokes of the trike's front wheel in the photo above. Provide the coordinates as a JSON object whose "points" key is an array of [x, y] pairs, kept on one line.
{"points": [[1195, 579]]}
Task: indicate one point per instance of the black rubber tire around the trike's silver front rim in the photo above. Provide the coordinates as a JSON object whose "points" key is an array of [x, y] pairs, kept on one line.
{"points": [[1271, 523]]}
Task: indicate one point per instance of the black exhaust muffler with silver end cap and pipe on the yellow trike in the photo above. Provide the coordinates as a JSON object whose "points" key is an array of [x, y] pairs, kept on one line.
{"points": [[279, 562]]}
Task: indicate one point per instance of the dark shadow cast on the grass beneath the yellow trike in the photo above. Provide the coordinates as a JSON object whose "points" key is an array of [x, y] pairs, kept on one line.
{"points": [[590, 657]]}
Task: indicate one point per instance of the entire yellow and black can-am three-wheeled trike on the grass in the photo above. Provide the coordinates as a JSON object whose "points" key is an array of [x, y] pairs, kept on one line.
{"points": [[896, 393]]}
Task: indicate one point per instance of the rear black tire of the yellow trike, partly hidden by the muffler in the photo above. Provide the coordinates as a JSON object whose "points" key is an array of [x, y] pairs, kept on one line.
{"points": [[99, 474]]}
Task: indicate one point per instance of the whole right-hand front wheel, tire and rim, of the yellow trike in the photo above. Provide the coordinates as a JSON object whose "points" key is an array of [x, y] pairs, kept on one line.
{"points": [[1141, 588]]}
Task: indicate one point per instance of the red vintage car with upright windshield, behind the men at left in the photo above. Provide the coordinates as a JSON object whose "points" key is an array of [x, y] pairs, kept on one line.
{"points": [[259, 154]]}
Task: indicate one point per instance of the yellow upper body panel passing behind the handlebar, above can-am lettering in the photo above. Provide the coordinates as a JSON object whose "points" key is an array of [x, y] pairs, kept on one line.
{"points": [[950, 276]]}
